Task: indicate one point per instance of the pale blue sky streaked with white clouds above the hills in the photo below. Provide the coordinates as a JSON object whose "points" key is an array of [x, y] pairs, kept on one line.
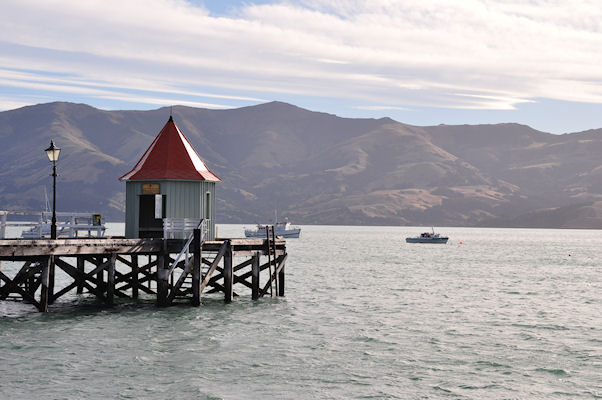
{"points": [[420, 62]]}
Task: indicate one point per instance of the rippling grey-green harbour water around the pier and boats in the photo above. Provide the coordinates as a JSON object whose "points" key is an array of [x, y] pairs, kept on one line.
{"points": [[507, 314]]}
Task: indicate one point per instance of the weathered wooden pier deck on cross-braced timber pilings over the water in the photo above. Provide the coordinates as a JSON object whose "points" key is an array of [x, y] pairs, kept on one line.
{"points": [[173, 270]]}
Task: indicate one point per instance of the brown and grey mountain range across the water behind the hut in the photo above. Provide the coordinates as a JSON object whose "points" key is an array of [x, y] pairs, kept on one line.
{"points": [[313, 167]]}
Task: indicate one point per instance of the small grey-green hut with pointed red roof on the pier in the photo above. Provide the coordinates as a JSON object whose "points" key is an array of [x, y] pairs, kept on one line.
{"points": [[169, 181]]}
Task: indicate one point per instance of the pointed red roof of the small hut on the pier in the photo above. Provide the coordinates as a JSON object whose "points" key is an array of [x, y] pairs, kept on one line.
{"points": [[170, 156]]}
